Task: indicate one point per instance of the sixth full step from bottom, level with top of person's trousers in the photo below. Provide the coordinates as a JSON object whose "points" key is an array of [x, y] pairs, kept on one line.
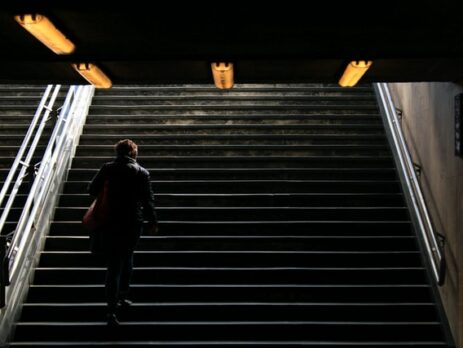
{"points": [[246, 243]]}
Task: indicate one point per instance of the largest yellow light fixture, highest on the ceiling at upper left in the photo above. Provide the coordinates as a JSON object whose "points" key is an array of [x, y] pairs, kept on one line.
{"points": [[44, 30]]}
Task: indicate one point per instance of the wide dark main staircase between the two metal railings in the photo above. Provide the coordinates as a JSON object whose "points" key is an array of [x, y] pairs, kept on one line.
{"points": [[282, 223]]}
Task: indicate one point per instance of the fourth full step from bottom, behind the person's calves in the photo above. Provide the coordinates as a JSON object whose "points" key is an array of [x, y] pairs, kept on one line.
{"points": [[223, 276]]}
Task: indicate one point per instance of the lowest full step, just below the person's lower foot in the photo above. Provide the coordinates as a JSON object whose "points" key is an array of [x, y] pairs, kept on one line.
{"points": [[222, 332]]}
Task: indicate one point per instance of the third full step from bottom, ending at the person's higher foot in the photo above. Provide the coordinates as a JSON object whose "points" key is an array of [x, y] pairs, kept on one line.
{"points": [[205, 292]]}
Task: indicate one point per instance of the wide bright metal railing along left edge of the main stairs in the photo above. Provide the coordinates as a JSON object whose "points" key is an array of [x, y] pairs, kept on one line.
{"points": [[37, 214]]}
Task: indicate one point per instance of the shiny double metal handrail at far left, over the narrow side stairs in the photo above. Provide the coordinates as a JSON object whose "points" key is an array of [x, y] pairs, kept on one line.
{"points": [[25, 163]]}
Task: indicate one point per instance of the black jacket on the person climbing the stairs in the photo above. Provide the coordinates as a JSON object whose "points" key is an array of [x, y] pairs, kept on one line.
{"points": [[131, 198]]}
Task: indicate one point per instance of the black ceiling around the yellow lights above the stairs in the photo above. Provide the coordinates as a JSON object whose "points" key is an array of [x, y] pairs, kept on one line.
{"points": [[141, 42]]}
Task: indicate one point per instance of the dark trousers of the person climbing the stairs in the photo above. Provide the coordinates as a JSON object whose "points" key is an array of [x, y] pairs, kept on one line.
{"points": [[118, 275]]}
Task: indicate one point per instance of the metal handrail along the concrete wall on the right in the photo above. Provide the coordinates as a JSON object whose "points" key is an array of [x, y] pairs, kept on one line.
{"points": [[434, 242]]}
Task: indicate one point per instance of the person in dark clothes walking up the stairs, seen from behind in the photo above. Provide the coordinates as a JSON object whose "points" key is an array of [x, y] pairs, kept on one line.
{"points": [[130, 200]]}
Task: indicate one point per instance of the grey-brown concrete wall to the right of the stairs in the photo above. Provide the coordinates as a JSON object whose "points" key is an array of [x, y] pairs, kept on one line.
{"points": [[428, 124]]}
